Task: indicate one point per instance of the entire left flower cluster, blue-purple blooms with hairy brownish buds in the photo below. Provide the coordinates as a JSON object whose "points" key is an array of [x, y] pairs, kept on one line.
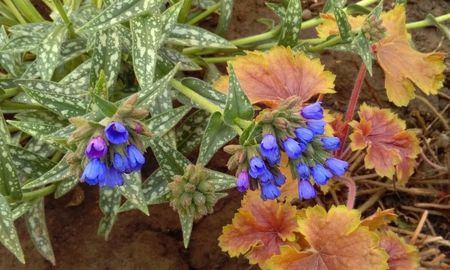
{"points": [[106, 154]]}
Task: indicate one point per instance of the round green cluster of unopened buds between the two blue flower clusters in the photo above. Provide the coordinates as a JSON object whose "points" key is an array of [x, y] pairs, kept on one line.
{"points": [[193, 193]]}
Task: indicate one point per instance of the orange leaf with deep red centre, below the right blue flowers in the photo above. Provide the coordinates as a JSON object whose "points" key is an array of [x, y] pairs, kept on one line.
{"points": [[259, 228]]}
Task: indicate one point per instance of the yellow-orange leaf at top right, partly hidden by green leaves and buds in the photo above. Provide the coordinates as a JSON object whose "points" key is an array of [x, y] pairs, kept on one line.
{"points": [[404, 67]]}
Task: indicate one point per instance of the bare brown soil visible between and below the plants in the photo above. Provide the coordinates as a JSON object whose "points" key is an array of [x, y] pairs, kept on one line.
{"points": [[155, 242]]}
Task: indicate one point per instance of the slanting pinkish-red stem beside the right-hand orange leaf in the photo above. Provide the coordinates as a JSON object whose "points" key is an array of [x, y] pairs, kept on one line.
{"points": [[352, 106]]}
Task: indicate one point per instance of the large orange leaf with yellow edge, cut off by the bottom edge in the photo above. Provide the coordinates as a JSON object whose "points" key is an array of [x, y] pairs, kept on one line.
{"points": [[337, 240]]}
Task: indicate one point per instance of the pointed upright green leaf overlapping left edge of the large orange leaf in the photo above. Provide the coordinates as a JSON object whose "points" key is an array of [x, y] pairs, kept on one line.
{"points": [[238, 105]]}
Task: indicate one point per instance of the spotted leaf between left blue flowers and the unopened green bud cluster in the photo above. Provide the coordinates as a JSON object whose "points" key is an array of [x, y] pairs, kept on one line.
{"points": [[155, 191]]}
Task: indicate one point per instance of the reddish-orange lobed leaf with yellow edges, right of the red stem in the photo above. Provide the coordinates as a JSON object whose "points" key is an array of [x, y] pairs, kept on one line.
{"points": [[391, 149]]}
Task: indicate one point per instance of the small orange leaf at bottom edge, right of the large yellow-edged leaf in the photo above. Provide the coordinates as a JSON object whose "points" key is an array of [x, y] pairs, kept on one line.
{"points": [[402, 256]]}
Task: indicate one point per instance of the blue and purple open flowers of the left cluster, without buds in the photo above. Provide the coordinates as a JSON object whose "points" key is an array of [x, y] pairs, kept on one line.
{"points": [[125, 157]]}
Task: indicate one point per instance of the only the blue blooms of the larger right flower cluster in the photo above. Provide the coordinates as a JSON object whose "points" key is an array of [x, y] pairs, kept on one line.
{"points": [[308, 151]]}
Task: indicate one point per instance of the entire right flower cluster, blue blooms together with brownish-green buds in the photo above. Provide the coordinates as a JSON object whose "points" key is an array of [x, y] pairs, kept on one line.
{"points": [[298, 132]]}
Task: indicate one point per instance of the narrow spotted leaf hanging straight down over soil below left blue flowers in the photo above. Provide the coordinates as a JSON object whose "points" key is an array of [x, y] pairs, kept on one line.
{"points": [[109, 205]]}
